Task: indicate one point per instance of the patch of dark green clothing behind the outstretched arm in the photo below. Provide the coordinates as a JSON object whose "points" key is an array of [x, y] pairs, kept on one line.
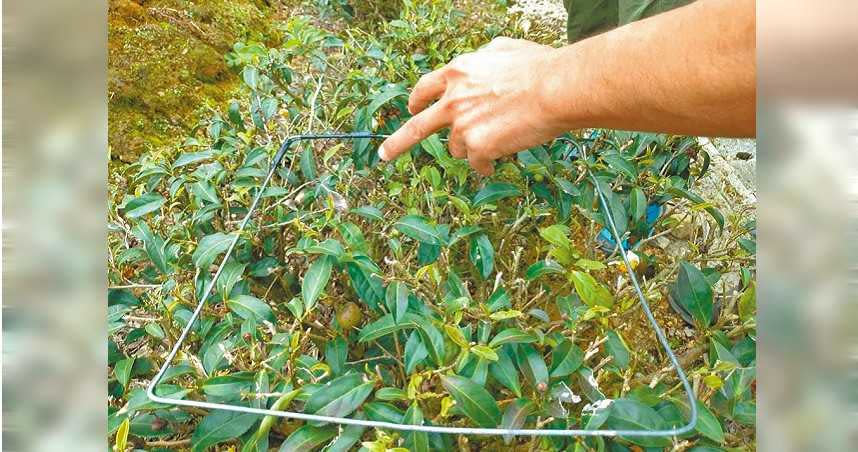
{"points": [[591, 17]]}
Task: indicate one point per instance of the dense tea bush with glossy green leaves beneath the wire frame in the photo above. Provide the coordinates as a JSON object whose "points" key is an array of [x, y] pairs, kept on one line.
{"points": [[416, 291]]}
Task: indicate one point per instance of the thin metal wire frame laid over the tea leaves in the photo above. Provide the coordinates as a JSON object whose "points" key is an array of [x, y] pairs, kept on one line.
{"points": [[150, 390]]}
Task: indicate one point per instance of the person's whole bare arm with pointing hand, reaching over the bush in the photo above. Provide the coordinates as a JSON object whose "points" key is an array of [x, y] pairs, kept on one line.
{"points": [[688, 71]]}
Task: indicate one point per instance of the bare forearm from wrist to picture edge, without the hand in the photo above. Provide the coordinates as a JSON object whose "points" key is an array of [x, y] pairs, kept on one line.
{"points": [[687, 71]]}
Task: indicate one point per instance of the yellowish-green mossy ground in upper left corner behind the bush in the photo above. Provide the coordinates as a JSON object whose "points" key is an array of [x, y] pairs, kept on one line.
{"points": [[165, 62]]}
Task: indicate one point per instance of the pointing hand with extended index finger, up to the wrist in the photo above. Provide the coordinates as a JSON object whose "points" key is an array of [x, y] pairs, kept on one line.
{"points": [[492, 99]]}
